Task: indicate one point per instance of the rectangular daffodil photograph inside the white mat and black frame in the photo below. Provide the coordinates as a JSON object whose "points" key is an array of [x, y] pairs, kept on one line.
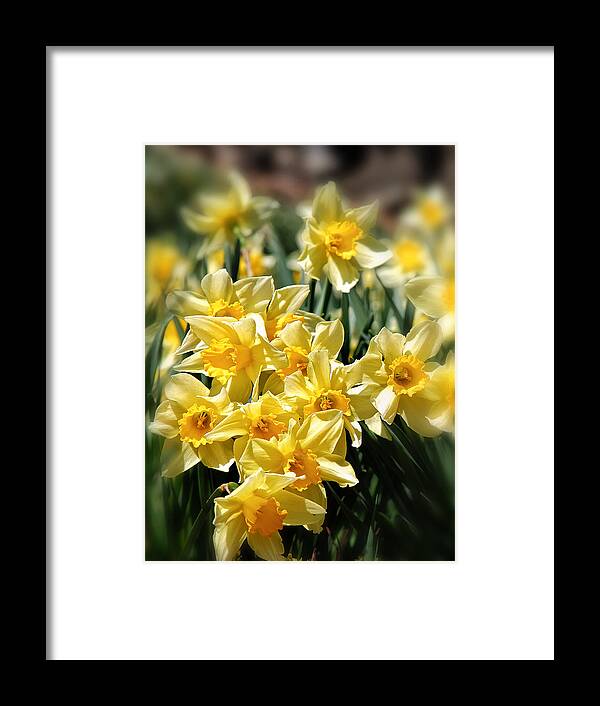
{"points": [[299, 352]]}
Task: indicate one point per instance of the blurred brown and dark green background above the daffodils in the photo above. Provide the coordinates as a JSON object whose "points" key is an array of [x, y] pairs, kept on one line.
{"points": [[291, 173]]}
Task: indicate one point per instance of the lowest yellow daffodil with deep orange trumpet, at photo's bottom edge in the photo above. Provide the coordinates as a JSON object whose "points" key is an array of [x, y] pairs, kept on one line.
{"points": [[256, 510]]}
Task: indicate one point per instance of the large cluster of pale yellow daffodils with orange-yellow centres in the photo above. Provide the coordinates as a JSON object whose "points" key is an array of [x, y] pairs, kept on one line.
{"points": [[259, 379]]}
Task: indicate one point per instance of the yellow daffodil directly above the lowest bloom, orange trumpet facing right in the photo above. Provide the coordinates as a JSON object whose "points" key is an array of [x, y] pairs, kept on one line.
{"points": [[313, 451]]}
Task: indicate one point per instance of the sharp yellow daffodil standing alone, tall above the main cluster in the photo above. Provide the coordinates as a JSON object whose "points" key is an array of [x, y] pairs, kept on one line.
{"points": [[337, 240]]}
